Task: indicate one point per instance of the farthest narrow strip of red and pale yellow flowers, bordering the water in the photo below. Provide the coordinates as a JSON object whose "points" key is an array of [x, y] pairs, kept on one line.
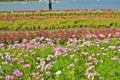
{"points": [[58, 12]]}
